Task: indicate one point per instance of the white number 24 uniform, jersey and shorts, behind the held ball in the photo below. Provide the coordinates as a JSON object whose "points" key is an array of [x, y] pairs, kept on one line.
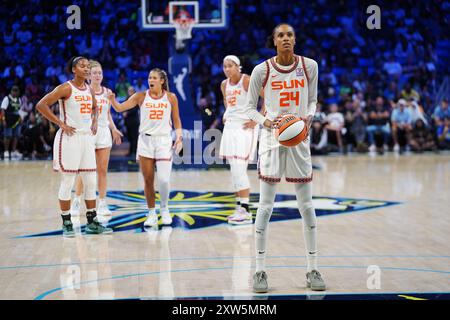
{"points": [[286, 89]]}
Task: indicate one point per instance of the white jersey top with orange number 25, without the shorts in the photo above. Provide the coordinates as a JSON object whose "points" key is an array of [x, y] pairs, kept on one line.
{"points": [[77, 109]]}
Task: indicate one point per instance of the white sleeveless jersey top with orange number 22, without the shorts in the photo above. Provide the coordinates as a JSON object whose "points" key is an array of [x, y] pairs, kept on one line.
{"points": [[156, 115]]}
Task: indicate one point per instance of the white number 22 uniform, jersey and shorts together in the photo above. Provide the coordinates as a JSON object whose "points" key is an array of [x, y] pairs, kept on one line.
{"points": [[155, 139]]}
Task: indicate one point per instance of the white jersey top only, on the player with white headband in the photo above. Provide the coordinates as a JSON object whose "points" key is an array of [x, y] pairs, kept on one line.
{"points": [[236, 98]]}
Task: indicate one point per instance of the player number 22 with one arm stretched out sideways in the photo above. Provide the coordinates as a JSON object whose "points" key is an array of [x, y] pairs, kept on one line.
{"points": [[157, 106]]}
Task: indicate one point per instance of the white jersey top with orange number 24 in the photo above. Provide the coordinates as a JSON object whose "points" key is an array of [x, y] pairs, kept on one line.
{"points": [[286, 89]]}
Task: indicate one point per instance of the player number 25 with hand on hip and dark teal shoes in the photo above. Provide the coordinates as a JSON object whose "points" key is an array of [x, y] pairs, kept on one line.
{"points": [[74, 147]]}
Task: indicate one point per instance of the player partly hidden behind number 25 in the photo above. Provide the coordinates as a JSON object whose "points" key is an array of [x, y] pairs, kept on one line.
{"points": [[103, 142]]}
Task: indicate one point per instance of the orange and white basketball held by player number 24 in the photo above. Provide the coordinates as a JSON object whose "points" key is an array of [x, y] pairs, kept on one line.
{"points": [[290, 130]]}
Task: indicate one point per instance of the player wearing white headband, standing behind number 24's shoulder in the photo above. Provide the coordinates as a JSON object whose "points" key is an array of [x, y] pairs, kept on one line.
{"points": [[239, 139]]}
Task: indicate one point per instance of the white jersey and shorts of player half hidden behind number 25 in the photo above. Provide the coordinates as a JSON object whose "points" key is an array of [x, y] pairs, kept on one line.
{"points": [[103, 138]]}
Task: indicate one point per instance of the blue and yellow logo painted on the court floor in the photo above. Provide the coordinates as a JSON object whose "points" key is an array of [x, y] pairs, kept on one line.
{"points": [[195, 210]]}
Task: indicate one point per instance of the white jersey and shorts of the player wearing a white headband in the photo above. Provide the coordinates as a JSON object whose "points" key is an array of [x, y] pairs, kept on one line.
{"points": [[237, 143]]}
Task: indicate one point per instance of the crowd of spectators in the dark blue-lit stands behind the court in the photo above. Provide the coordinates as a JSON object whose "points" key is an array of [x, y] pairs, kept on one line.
{"points": [[377, 88]]}
